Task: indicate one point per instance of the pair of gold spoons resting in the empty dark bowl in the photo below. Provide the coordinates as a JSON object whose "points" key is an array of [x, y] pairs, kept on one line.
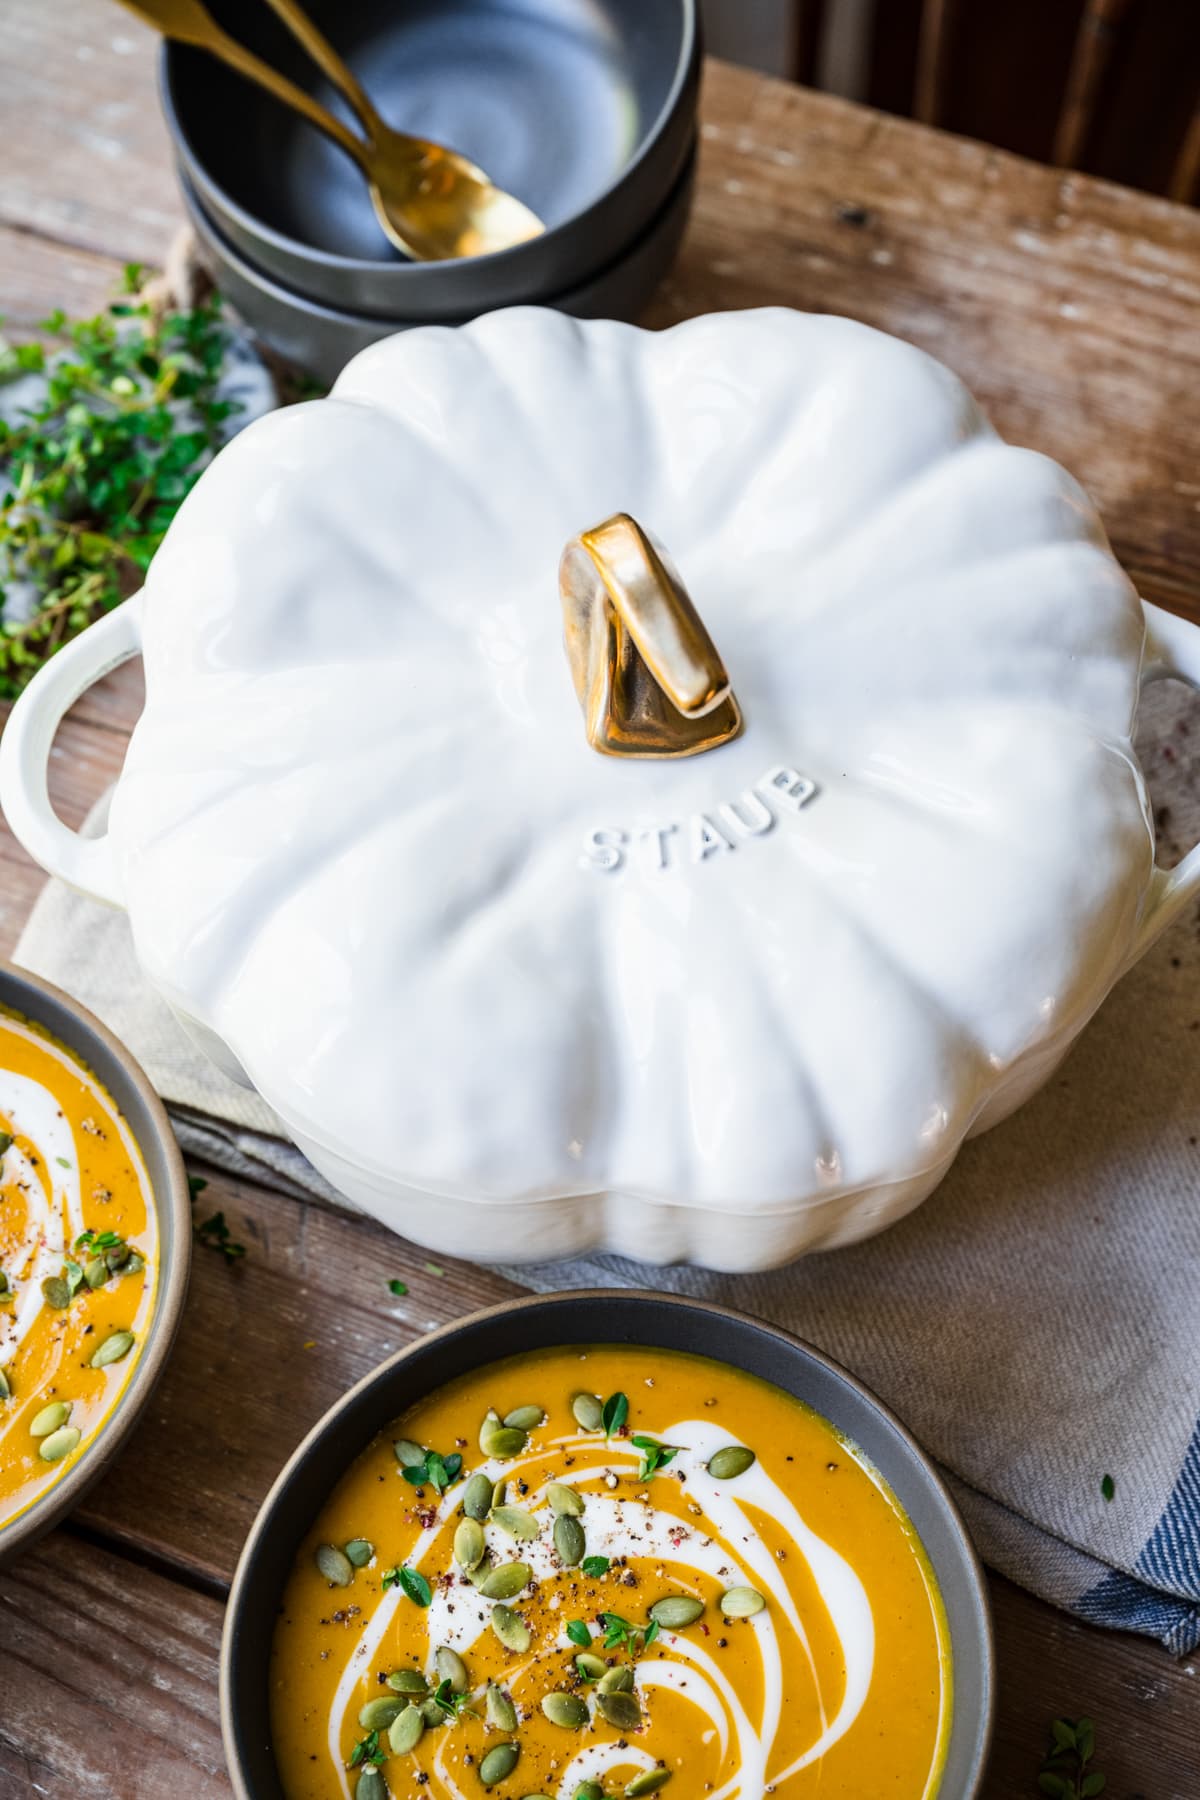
{"points": [[431, 202]]}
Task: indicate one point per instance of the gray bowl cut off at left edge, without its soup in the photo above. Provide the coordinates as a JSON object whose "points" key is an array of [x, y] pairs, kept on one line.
{"points": [[80, 1030]]}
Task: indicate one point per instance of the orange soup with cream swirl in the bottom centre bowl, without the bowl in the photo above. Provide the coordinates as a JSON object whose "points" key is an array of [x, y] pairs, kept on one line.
{"points": [[587, 1574]]}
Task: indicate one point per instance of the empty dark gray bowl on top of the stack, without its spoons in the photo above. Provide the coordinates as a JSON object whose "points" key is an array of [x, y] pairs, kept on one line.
{"points": [[584, 109]]}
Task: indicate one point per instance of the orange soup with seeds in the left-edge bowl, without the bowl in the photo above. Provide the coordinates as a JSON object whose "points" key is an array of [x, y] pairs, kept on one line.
{"points": [[78, 1261]]}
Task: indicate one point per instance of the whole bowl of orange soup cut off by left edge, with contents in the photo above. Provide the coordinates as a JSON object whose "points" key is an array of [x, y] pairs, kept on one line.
{"points": [[94, 1250]]}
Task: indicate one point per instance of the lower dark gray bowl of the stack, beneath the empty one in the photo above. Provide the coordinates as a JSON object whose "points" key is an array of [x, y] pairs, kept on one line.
{"points": [[323, 339]]}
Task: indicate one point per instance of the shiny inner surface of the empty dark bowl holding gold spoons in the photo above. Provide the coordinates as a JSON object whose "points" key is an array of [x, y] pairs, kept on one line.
{"points": [[553, 98]]}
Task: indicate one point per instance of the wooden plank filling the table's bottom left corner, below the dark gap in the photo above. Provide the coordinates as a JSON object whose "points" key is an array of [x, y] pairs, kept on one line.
{"points": [[109, 1680]]}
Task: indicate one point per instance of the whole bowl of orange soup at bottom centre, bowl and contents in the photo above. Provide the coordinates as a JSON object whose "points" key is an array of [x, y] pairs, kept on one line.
{"points": [[602, 1545]]}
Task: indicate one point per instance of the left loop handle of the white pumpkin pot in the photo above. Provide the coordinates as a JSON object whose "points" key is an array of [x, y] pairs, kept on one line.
{"points": [[84, 863]]}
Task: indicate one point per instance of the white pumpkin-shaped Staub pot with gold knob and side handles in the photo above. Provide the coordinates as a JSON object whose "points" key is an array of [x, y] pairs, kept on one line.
{"points": [[521, 996]]}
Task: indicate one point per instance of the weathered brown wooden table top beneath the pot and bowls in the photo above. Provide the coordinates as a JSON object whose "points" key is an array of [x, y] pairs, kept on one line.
{"points": [[1073, 309]]}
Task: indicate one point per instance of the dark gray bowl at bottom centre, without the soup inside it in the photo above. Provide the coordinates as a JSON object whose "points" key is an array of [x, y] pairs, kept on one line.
{"points": [[598, 1317]]}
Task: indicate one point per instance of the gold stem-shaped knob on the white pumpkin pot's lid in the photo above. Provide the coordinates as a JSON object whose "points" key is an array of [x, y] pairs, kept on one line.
{"points": [[649, 676]]}
